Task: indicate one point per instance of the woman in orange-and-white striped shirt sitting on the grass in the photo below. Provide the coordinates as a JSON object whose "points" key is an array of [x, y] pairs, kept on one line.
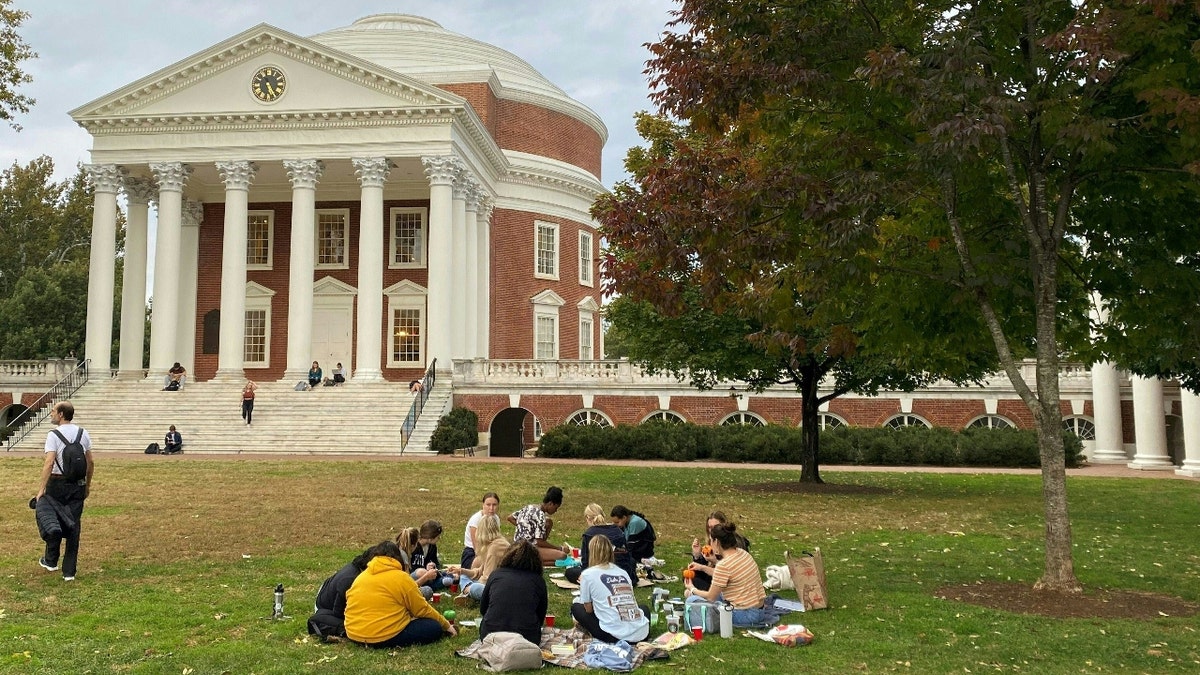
{"points": [[736, 581]]}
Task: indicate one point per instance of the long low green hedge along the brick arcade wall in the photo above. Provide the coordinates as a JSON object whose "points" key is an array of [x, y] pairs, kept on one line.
{"points": [[913, 446]]}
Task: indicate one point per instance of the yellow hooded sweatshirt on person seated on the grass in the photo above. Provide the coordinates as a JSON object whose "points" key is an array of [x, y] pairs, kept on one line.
{"points": [[383, 601]]}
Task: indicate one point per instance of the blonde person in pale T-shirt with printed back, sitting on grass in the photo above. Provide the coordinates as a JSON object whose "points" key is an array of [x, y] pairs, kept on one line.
{"points": [[607, 607]]}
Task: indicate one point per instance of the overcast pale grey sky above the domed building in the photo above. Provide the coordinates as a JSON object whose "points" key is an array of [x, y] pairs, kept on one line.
{"points": [[87, 49]]}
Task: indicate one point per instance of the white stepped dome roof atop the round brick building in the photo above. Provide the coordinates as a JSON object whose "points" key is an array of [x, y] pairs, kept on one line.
{"points": [[423, 50]]}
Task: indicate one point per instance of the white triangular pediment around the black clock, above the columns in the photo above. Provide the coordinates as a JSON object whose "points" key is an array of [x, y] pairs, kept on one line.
{"points": [[217, 83]]}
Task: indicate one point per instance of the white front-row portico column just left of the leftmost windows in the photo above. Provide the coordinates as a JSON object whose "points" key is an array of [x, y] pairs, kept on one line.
{"points": [[232, 348]]}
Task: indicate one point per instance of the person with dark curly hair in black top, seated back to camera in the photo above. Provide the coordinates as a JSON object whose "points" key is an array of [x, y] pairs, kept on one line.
{"points": [[515, 598]]}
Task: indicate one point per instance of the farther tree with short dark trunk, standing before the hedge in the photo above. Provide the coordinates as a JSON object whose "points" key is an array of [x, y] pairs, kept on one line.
{"points": [[699, 254]]}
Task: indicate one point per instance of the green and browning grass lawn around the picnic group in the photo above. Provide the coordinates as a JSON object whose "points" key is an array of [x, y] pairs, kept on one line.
{"points": [[179, 561]]}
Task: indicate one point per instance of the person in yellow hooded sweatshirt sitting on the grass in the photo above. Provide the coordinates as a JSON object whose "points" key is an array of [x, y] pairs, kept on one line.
{"points": [[385, 610]]}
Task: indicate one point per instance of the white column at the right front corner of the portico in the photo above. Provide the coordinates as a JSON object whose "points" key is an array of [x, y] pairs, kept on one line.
{"points": [[442, 172]]}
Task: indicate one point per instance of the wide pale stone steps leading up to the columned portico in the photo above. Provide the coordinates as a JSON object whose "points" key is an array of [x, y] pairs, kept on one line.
{"points": [[355, 419]]}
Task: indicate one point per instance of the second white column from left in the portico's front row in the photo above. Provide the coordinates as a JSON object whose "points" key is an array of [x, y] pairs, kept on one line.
{"points": [[164, 322]]}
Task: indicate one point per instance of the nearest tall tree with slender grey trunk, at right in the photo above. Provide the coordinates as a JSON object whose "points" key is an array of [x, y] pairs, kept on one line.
{"points": [[992, 129]]}
